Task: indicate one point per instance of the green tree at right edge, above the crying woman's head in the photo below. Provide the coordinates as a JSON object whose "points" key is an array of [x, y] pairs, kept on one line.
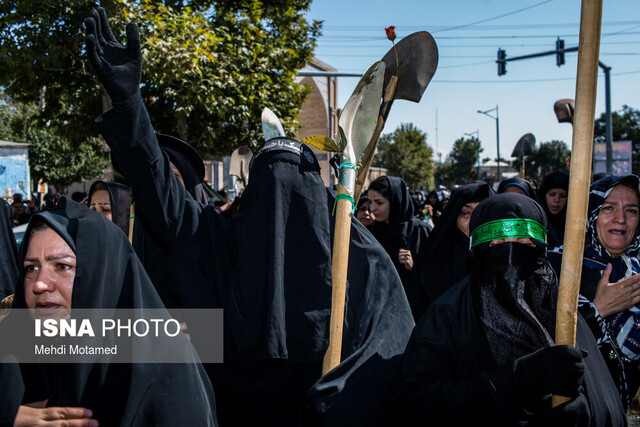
{"points": [[626, 127]]}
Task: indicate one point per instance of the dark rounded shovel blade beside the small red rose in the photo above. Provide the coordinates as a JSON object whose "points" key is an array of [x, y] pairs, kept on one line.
{"points": [[416, 65]]}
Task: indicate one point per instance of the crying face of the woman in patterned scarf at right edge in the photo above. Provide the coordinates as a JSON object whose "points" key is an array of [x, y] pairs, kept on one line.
{"points": [[617, 222]]}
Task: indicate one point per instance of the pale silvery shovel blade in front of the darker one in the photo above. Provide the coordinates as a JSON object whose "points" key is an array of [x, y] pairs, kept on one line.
{"points": [[360, 113]]}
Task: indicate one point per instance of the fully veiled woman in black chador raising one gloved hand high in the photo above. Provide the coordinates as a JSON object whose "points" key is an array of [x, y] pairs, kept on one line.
{"points": [[269, 267]]}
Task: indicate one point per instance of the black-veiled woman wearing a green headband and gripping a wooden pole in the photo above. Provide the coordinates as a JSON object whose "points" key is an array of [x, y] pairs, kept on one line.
{"points": [[483, 353]]}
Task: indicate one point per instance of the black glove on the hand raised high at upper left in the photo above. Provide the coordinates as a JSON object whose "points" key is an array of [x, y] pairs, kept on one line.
{"points": [[118, 68]]}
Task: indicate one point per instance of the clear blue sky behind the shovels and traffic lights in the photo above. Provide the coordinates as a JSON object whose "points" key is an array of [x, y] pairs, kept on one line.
{"points": [[468, 34]]}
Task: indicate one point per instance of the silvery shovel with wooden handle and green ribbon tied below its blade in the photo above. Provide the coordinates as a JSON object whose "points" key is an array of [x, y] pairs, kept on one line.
{"points": [[357, 123]]}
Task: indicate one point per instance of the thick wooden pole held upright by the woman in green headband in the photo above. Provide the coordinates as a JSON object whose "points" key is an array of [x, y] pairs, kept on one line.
{"points": [[580, 176]]}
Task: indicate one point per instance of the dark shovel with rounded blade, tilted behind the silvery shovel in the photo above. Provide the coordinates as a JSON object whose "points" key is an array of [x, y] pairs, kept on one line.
{"points": [[406, 77]]}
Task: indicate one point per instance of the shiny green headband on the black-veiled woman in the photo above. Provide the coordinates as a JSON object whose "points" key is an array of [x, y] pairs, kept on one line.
{"points": [[508, 228]]}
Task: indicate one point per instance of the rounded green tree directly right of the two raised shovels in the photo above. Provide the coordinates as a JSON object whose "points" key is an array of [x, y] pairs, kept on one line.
{"points": [[405, 153]]}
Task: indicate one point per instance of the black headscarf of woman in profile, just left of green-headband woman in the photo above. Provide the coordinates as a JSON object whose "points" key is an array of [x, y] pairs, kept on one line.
{"points": [[446, 259]]}
